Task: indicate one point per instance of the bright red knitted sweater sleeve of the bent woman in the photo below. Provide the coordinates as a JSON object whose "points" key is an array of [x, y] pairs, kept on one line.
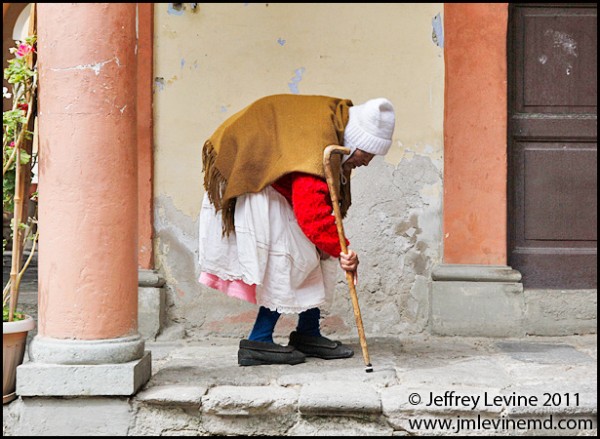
{"points": [[309, 197]]}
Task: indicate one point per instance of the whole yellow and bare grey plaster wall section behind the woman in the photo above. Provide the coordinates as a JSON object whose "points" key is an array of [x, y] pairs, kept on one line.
{"points": [[214, 60]]}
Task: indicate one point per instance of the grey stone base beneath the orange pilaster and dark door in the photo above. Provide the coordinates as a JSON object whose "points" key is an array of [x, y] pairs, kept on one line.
{"points": [[490, 301]]}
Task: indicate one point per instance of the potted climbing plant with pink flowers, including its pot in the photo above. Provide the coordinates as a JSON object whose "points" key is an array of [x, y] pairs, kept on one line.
{"points": [[18, 159]]}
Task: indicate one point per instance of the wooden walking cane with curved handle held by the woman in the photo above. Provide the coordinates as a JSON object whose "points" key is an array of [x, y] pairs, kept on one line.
{"points": [[335, 149]]}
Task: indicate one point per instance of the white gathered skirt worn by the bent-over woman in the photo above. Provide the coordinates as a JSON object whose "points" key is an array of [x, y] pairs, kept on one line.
{"points": [[268, 250]]}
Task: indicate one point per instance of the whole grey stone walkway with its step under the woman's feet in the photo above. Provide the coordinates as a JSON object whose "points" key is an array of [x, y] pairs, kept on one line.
{"points": [[478, 386]]}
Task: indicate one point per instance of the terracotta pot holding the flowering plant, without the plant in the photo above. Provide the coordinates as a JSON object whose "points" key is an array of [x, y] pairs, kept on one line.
{"points": [[14, 338]]}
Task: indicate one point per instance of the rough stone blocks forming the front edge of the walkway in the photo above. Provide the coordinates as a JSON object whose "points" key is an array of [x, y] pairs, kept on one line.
{"points": [[332, 408]]}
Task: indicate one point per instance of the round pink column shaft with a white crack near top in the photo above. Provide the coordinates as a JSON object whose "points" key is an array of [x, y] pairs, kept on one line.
{"points": [[88, 205]]}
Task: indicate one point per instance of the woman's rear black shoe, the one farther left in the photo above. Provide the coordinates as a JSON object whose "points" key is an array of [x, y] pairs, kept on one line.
{"points": [[255, 353]]}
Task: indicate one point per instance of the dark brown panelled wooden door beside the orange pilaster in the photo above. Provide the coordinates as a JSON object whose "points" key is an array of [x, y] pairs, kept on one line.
{"points": [[552, 141]]}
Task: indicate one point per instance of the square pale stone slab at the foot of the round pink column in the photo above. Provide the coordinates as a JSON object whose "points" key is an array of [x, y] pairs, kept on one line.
{"points": [[120, 379]]}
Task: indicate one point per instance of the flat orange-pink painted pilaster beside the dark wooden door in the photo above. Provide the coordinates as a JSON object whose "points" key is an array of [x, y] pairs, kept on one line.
{"points": [[475, 123]]}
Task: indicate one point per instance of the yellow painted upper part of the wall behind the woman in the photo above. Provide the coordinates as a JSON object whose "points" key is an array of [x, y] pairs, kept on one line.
{"points": [[223, 56]]}
